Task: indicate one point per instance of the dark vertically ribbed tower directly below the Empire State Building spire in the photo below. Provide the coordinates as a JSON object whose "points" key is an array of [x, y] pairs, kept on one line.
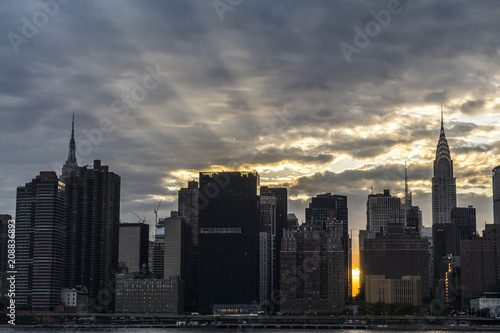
{"points": [[93, 218]]}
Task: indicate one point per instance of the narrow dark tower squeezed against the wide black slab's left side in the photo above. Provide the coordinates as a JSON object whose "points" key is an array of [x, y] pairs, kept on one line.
{"points": [[188, 208]]}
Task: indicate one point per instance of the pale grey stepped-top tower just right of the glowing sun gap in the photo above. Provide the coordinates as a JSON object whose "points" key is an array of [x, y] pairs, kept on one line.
{"points": [[382, 209]]}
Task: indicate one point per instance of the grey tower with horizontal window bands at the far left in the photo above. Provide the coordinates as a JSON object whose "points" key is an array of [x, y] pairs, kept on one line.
{"points": [[40, 243]]}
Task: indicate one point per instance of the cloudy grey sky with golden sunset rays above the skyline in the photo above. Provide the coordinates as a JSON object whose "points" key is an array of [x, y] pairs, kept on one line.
{"points": [[317, 96]]}
